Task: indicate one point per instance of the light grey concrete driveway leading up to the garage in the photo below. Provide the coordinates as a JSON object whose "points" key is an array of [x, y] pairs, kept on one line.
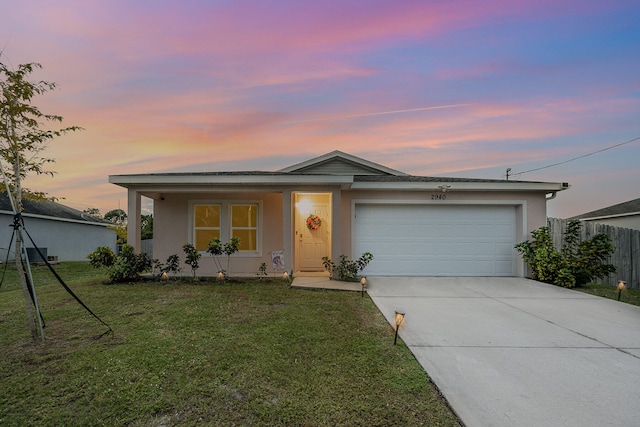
{"points": [[515, 352]]}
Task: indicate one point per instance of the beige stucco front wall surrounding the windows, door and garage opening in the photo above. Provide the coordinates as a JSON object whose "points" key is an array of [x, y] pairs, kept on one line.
{"points": [[172, 223]]}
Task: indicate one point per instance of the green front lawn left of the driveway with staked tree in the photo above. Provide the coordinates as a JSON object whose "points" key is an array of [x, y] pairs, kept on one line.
{"points": [[253, 353]]}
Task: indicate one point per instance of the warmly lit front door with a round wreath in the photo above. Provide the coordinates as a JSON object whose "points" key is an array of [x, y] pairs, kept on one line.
{"points": [[312, 244]]}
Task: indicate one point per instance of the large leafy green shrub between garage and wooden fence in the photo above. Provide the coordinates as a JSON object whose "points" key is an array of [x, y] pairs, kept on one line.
{"points": [[578, 263]]}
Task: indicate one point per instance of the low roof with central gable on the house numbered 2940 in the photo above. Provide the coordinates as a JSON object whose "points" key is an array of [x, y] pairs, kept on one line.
{"points": [[334, 168]]}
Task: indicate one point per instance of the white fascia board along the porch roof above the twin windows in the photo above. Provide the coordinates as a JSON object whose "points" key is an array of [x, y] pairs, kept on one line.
{"points": [[136, 180]]}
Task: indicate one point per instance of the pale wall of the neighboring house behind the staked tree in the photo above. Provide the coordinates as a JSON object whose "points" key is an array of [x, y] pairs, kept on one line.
{"points": [[69, 241]]}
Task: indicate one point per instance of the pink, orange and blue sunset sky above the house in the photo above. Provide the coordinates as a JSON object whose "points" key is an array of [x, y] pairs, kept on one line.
{"points": [[437, 88]]}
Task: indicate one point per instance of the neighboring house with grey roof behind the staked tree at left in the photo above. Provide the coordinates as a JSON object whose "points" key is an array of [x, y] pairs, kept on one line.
{"points": [[61, 233]]}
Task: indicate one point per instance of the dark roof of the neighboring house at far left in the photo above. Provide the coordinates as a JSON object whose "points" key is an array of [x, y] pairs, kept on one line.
{"points": [[50, 210]]}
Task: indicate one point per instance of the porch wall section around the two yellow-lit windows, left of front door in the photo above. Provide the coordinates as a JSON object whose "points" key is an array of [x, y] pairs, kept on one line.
{"points": [[173, 228]]}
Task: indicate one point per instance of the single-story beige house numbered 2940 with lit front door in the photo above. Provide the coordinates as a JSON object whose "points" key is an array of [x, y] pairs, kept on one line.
{"points": [[413, 225]]}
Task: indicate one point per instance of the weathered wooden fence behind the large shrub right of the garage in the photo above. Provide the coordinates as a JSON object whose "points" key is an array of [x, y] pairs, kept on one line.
{"points": [[626, 242]]}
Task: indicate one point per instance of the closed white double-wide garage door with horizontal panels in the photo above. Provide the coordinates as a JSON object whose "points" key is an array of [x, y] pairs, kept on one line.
{"points": [[443, 240]]}
